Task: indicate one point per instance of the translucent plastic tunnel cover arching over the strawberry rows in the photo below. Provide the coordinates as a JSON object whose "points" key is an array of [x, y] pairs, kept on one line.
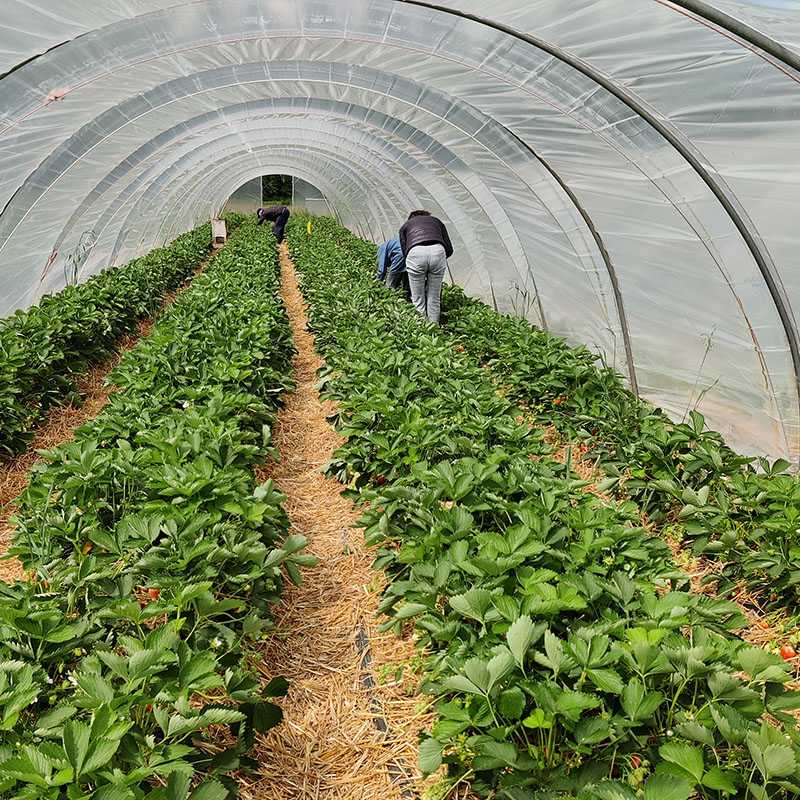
{"points": [[627, 180]]}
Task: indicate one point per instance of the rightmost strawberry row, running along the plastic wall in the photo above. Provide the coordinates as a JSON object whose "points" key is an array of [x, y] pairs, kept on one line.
{"points": [[743, 511]]}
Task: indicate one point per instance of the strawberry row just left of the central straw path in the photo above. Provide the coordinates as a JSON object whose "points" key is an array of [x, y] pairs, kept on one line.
{"points": [[155, 559]]}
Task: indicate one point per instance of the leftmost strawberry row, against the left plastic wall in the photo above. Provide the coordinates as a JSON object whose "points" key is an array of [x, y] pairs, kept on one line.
{"points": [[44, 347]]}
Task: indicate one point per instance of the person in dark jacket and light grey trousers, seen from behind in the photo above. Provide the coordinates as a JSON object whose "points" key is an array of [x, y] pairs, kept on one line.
{"points": [[426, 246]]}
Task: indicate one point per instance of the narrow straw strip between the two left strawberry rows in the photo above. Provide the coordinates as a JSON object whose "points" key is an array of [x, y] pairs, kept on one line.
{"points": [[59, 427]]}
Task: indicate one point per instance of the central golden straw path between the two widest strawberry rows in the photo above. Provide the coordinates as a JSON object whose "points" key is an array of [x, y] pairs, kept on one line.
{"points": [[348, 733]]}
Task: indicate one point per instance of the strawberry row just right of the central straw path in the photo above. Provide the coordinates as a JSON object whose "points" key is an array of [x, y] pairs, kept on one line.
{"points": [[566, 661]]}
